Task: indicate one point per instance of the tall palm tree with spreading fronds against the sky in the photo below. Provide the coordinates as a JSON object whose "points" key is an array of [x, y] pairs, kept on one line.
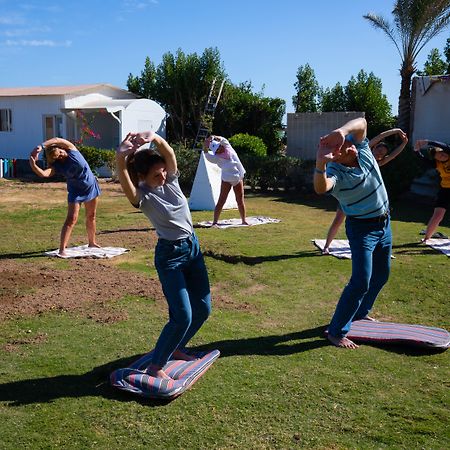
{"points": [[416, 22]]}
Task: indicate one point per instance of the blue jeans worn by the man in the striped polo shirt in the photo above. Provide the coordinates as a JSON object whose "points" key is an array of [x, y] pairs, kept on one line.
{"points": [[371, 245]]}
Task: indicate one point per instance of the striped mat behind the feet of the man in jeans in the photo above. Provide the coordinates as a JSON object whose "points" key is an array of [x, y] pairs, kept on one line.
{"points": [[399, 333]]}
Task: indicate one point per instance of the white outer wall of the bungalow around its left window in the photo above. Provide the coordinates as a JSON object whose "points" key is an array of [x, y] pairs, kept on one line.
{"points": [[27, 123]]}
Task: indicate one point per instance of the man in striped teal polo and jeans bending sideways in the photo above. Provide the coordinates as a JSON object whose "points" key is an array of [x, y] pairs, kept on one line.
{"points": [[347, 169]]}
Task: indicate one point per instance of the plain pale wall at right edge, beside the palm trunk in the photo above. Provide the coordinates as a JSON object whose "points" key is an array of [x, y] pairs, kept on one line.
{"points": [[431, 109]]}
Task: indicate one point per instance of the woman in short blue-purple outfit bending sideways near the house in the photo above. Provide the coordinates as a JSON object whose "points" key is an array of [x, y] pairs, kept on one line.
{"points": [[63, 158]]}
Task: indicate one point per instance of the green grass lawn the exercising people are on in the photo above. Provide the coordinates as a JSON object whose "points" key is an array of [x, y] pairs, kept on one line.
{"points": [[278, 384]]}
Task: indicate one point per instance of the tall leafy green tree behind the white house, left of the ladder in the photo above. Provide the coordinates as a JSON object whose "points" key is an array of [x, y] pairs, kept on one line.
{"points": [[181, 84]]}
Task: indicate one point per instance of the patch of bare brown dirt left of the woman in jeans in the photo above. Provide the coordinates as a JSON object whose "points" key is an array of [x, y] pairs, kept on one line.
{"points": [[88, 288]]}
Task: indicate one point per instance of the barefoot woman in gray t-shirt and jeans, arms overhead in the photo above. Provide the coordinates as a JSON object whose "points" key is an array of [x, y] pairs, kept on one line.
{"points": [[150, 182]]}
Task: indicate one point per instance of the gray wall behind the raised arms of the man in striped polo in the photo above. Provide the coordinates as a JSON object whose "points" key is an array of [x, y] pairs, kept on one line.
{"points": [[305, 129]]}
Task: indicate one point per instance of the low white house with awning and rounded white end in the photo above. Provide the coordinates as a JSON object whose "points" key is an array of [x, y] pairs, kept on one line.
{"points": [[29, 116]]}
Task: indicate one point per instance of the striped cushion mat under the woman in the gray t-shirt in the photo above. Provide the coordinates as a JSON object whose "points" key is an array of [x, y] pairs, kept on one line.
{"points": [[183, 374]]}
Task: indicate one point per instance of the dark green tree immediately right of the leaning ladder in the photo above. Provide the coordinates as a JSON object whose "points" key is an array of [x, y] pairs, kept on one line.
{"points": [[243, 111]]}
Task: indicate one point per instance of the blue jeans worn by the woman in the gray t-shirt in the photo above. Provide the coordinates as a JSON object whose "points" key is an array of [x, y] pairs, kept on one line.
{"points": [[184, 279]]}
